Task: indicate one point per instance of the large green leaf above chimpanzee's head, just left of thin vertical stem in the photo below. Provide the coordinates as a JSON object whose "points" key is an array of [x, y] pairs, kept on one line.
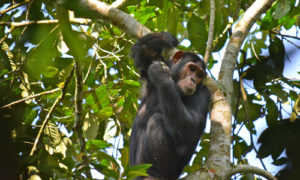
{"points": [[197, 33]]}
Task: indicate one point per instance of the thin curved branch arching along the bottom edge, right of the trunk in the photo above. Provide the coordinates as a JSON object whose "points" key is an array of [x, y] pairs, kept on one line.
{"points": [[250, 169]]}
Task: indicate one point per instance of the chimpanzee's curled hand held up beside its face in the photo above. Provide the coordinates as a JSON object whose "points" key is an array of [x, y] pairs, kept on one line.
{"points": [[158, 71]]}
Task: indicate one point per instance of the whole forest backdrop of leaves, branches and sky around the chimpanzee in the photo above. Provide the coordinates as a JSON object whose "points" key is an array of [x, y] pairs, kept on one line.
{"points": [[69, 90]]}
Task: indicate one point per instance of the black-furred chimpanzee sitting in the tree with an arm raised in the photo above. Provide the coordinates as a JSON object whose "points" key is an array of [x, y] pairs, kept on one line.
{"points": [[173, 110]]}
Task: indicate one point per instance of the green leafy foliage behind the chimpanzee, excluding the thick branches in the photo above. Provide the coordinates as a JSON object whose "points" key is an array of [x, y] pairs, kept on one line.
{"points": [[35, 63]]}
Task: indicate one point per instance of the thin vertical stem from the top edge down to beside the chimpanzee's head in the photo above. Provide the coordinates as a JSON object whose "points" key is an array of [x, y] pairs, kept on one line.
{"points": [[210, 32]]}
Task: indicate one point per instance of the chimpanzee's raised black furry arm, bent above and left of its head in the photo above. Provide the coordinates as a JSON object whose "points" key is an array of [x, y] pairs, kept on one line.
{"points": [[149, 48]]}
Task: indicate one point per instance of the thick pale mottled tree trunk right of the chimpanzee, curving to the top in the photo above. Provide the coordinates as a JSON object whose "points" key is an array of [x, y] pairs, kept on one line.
{"points": [[221, 113]]}
